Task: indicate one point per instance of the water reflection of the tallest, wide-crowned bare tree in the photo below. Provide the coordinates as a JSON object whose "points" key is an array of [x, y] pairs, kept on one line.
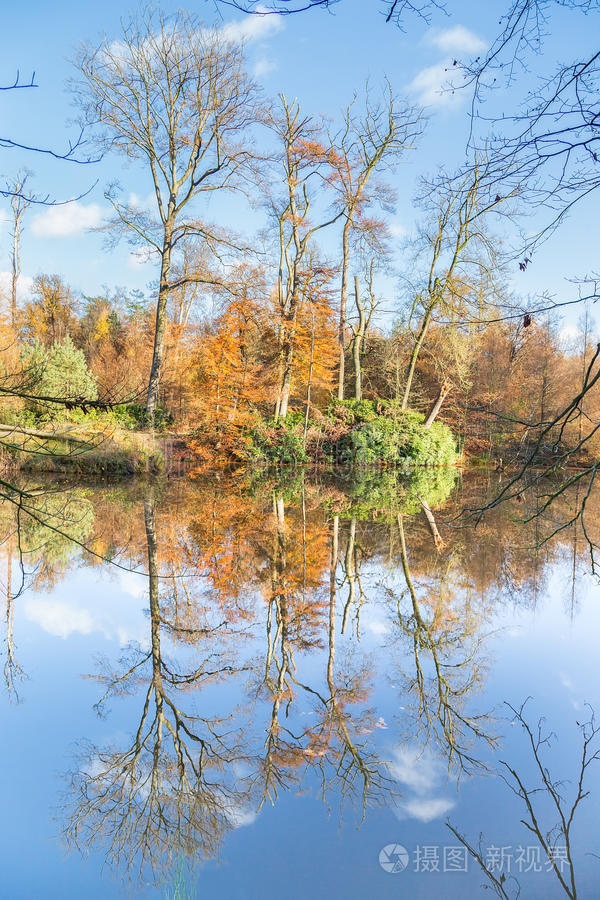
{"points": [[171, 792]]}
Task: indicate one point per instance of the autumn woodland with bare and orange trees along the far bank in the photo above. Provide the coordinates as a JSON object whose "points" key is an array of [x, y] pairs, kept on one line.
{"points": [[312, 339]]}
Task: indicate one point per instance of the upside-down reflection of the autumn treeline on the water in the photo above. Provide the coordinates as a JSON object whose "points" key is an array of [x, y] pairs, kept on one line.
{"points": [[275, 613]]}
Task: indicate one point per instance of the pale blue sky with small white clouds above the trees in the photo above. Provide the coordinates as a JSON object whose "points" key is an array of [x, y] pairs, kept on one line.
{"points": [[318, 57]]}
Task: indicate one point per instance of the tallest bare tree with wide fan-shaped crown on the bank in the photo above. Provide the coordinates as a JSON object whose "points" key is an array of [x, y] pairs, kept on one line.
{"points": [[174, 95]]}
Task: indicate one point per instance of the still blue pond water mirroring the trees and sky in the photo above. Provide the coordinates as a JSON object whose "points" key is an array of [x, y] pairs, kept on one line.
{"points": [[225, 688]]}
